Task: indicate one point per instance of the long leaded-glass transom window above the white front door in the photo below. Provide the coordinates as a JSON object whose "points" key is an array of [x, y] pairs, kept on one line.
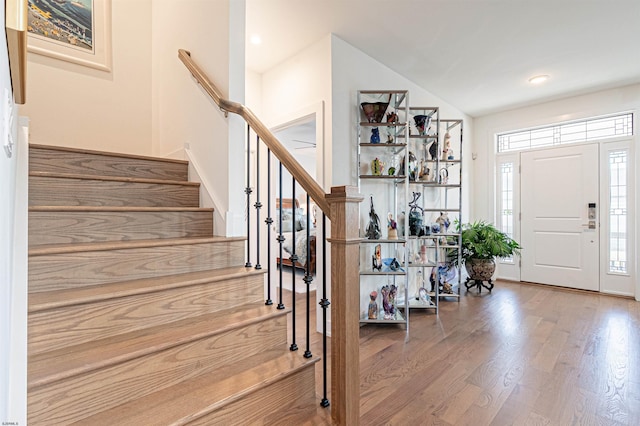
{"points": [[567, 132]]}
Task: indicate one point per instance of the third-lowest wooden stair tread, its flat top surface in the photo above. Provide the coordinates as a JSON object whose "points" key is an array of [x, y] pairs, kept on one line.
{"points": [[59, 298]]}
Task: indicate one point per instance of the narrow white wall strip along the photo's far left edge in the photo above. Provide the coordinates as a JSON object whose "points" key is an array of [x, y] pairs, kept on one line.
{"points": [[13, 259]]}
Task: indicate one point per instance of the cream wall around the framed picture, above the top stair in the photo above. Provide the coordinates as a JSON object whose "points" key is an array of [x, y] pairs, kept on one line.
{"points": [[76, 106]]}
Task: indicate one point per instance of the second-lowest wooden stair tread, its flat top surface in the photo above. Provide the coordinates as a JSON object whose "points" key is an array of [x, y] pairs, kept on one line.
{"points": [[49, 367]]}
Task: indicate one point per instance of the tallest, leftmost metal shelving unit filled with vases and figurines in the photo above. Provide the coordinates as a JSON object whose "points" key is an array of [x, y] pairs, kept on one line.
{"points": [[386, 184]]}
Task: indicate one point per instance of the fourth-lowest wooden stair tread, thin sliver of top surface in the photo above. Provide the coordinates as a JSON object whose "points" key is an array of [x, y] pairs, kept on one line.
{"points": [[120, 245]]}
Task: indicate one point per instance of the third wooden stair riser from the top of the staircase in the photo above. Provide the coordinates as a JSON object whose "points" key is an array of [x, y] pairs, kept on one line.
{"points": [[55, 227]]}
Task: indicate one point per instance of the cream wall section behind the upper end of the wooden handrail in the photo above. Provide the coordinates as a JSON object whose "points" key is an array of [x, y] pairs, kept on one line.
{"points": [[213, 31]]}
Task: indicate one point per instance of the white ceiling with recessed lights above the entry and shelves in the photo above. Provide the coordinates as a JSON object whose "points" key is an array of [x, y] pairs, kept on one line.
{"points": [[475, 54]]}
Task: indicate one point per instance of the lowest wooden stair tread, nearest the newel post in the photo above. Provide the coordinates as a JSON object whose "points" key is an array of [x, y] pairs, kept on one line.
{"points": [[185, 402]]}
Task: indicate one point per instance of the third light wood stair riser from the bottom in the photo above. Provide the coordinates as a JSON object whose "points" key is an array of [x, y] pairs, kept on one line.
{"points": [[72, 325]]}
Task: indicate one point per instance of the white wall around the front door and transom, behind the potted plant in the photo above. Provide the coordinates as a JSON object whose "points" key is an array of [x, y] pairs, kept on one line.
{"points": [[621, 99]]}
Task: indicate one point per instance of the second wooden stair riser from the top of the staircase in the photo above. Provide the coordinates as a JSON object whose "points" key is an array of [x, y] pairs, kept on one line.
{"points": [[54, 191]]}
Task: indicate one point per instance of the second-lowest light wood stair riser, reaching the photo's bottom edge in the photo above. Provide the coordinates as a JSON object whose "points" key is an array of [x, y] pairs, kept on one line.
{"points": [[73, 399]]}
